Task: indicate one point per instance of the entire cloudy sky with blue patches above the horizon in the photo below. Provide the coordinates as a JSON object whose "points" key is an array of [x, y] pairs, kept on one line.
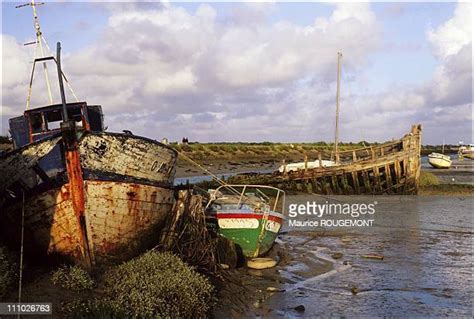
{"points": [[254, 71]]}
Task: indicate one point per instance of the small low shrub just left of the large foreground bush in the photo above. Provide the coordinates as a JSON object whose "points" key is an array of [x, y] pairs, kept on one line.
{"points": [[73, 278]]}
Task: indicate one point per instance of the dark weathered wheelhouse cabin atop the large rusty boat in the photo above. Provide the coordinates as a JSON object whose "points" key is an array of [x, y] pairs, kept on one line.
{"points": [[43, 122]]}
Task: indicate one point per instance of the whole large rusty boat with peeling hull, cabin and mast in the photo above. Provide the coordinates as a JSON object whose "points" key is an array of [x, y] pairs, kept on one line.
{"points": [[85, 194]]}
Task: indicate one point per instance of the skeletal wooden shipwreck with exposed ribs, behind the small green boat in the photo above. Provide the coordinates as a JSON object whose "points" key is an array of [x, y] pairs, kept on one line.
{"points": [[389, 168]]}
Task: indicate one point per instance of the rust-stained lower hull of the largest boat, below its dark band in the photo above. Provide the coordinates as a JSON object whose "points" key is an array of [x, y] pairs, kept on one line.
{"points": [[121, 218]]}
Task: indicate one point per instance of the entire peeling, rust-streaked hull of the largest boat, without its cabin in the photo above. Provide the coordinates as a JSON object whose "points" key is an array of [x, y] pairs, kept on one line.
{"points": [[124, 189]]}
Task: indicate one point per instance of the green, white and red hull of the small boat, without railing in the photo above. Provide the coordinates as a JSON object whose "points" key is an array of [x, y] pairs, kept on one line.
{"points": [[252, 232]]}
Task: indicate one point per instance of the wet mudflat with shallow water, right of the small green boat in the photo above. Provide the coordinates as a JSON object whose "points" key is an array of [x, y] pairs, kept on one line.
{"points": [[426, 245]]}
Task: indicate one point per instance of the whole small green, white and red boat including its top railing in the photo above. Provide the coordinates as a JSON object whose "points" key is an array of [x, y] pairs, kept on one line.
{"points": [[249, 215]]}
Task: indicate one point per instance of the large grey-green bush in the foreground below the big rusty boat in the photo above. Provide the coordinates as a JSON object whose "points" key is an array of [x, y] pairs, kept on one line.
{"points": [[153, 285]]}
